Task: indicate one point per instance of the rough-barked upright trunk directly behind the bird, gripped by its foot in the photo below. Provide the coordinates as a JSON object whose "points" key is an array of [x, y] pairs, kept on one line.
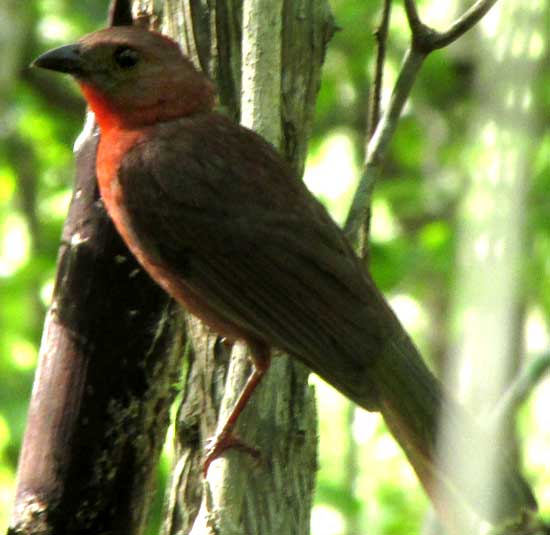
{"points": [[265, 57]]}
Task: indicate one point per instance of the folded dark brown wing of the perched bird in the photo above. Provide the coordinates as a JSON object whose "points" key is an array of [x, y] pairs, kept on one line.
{"points": [[219, 207]]}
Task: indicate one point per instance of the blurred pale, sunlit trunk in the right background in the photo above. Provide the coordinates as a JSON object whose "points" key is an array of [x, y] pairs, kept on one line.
{"points": [[487, 289]]}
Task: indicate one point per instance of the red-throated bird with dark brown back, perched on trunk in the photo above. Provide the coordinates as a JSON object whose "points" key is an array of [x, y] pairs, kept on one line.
{"points": [[220, 221]]}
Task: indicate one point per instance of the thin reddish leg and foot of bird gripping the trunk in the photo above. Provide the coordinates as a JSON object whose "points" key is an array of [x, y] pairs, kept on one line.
{"points": [[224, 439]]}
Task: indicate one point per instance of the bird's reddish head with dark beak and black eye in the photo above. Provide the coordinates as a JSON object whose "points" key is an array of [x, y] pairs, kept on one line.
{"points": [[132, 77]]}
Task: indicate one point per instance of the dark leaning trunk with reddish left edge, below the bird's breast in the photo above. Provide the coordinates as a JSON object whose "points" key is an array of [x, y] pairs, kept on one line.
{"points": [[103, 388]]}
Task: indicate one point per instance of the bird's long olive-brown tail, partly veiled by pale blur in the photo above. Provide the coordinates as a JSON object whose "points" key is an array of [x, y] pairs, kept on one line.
{"points": [[411, 400]]}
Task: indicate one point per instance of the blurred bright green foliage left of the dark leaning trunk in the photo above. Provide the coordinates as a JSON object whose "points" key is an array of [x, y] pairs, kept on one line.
{"points": [[35, 181]]}
